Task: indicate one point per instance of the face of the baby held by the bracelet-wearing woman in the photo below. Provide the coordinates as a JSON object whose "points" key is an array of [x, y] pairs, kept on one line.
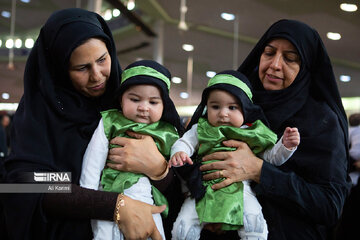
{"points": [[142, 104]]}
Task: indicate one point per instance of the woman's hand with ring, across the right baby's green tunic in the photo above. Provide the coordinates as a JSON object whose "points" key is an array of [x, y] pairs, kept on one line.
{"points": [[235, 166]]}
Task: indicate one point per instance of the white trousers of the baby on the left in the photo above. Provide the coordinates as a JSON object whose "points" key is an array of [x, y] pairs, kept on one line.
{"points": [[108, 230]]}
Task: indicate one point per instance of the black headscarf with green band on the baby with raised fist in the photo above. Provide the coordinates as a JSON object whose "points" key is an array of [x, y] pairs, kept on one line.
{"points": [[250, 111]]}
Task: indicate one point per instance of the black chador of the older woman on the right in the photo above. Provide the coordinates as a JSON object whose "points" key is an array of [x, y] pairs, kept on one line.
{"points": [[316, 175]]}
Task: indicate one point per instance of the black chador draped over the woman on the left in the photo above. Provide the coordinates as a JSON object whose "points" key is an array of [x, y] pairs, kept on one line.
{"points": [[54, 123]]}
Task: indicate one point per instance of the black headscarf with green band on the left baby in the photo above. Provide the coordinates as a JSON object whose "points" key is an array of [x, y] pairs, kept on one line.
{"points": [[153, 73]]}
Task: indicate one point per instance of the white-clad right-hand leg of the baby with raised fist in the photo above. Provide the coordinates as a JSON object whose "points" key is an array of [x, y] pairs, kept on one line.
{"points": [[255, 227]]}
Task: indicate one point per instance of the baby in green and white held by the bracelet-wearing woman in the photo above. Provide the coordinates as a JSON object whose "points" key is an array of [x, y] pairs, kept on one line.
{"points": [[145, 108]]}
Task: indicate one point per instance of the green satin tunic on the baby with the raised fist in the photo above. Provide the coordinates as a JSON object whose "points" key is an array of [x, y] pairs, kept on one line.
{"points": [[226, 205]]}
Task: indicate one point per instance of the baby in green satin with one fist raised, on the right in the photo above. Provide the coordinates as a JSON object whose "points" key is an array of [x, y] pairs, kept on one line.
{"points": [[227, 112]]}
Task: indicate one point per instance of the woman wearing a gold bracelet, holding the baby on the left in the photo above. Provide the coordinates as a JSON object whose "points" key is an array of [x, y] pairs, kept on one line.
{"points": [[71, 74]]}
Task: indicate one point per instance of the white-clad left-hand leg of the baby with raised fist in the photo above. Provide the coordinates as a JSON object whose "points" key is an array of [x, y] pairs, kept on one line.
{"points": [[187, 226]]}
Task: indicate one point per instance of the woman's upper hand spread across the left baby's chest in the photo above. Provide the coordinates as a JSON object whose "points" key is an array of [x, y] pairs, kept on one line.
{"points": [[138, 156]]}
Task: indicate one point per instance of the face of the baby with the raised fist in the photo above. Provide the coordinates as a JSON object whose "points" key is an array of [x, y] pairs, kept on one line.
{"points": [[223, 109]]}
